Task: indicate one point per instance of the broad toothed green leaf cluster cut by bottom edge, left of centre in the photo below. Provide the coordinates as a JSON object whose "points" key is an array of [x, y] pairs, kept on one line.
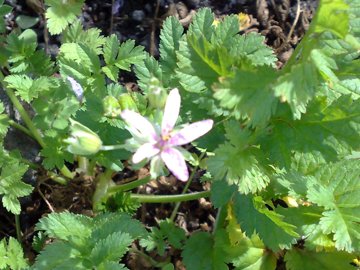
{"points": [[84, 242]]}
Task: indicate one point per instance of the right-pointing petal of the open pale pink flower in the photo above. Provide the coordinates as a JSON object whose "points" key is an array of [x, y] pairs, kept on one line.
{"points": [[191, 132]]}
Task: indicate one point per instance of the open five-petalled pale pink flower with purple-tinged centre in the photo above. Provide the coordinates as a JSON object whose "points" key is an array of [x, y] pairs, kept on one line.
{"points": [[162, 143]]}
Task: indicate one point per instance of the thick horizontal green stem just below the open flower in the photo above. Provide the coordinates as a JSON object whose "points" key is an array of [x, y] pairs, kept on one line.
{"points": [[170, 198]]}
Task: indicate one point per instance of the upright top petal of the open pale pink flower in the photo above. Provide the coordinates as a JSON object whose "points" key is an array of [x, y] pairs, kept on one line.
{"points": [[171, 111]]}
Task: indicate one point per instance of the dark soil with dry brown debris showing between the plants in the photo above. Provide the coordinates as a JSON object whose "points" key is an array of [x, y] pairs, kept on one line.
{"points": [[282, 22]]}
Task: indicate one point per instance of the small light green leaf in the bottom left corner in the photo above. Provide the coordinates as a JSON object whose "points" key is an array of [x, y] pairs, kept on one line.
{"points": [[12, 255]]}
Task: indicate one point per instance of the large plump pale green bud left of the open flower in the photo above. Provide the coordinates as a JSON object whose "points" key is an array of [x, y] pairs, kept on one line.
{"points": [[83, 141]]}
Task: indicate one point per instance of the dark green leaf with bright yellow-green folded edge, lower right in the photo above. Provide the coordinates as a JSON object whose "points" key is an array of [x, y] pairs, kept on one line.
{"points": [[253, 216]]}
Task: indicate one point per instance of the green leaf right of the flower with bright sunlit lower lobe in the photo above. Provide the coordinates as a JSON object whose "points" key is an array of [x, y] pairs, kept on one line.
{"points": [[238, 161]]}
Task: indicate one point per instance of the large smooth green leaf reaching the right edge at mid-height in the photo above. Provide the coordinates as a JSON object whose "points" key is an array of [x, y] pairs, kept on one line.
{"points": [[327, 130]]}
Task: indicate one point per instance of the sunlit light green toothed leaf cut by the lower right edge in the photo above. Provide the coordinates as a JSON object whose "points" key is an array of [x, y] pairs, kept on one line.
{"points": [[337, 191]]}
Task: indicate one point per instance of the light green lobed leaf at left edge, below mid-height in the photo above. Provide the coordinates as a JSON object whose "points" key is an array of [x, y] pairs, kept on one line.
{"points": [[11, 185]]}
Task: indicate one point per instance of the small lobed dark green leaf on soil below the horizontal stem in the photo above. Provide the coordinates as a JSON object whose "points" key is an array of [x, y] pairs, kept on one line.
{"points": [[159, 238]]}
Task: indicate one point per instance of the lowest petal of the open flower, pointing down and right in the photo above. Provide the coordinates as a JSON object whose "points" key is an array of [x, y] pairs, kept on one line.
{"points": [[175, 162]]}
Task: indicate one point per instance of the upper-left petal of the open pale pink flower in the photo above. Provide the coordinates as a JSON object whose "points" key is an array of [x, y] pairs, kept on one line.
{"points": [[140, 123]]}
